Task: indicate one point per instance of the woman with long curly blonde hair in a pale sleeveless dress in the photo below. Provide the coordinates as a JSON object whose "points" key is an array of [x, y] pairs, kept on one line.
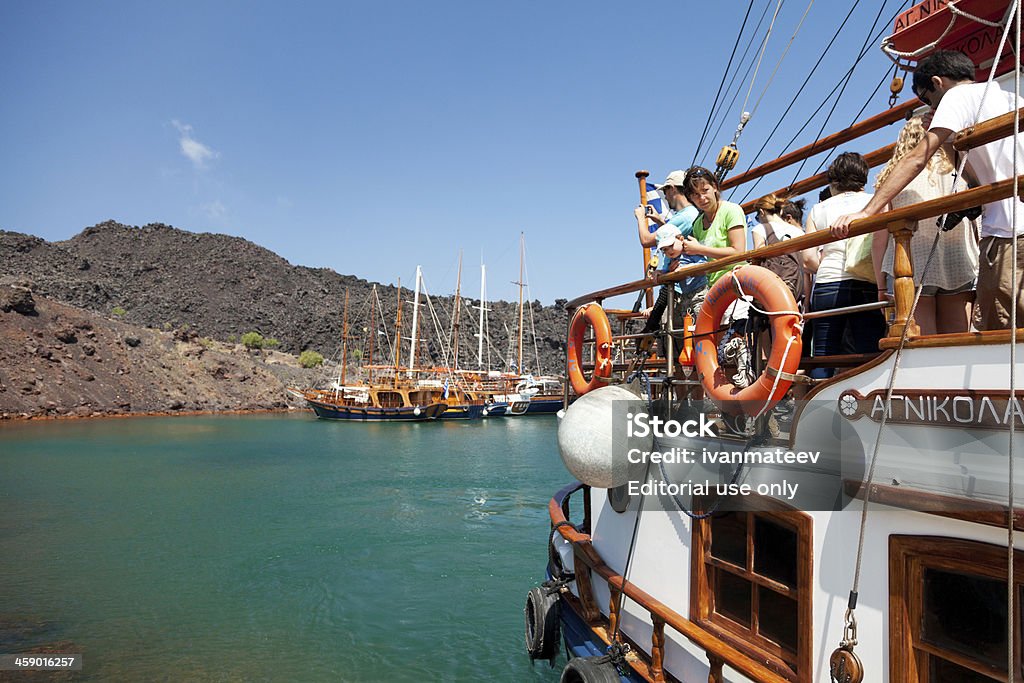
{"points": [[952, 277]]}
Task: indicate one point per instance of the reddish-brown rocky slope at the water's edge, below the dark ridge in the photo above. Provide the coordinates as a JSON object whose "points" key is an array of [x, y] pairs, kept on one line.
{"points": [[59, 361]]}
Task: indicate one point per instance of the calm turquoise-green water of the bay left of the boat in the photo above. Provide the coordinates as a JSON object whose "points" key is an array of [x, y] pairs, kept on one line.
{"points": [[277, 548]]}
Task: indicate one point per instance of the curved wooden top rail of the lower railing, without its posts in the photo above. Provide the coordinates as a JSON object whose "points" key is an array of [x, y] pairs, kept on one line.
{"points": [[584, 549]]}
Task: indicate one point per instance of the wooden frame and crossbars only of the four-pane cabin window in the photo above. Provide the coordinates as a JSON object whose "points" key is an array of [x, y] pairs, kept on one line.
{"points": [[794, 667]]}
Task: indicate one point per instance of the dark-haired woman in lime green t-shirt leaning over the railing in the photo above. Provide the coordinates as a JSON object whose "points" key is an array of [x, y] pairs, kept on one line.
{"points": [[720, 231]]}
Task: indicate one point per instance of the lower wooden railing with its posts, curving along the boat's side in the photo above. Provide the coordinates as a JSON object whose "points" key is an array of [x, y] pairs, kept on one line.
{"points": [[587, 563]]}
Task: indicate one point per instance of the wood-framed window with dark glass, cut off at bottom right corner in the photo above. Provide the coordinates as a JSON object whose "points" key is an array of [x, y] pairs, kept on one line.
{"points": [[950, 610]]}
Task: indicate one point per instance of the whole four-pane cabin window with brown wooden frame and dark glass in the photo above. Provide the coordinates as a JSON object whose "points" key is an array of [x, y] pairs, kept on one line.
{"points": [[753, 586]]}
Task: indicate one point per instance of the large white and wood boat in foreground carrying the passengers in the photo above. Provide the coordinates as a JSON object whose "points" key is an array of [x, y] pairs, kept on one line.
{"points": [[873, 539]]}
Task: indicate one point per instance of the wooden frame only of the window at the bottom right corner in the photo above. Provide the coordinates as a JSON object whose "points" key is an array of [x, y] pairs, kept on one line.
{"points": [[909, 558]]}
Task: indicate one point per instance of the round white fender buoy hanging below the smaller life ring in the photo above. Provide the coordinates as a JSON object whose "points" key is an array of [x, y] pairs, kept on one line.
{"points": [[592, 437]]}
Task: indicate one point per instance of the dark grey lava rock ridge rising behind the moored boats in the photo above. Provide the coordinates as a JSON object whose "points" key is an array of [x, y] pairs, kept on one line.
{"points": [[222, 287]]}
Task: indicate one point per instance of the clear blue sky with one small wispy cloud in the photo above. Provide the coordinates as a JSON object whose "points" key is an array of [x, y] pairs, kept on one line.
{"points": [[372, 138]]}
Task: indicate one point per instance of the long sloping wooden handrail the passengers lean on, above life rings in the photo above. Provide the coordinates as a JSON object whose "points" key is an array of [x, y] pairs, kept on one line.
{"points": [[914, 212]]}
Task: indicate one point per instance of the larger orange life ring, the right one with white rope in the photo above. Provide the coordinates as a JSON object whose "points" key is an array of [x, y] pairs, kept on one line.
{"points": [[774, 296]]}
